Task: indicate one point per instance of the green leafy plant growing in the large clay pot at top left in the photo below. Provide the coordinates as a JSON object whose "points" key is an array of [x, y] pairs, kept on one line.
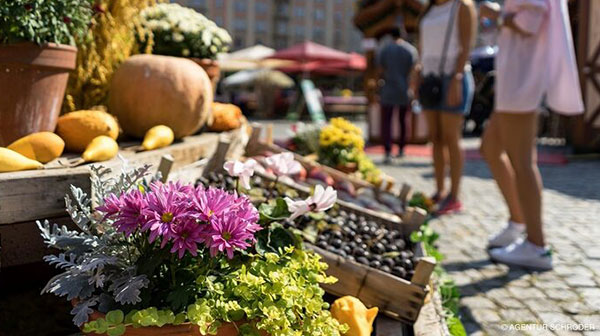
{"points": [[44, 21]]}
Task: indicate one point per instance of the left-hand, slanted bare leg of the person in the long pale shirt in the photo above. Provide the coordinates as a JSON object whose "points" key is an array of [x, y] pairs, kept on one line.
{"points": [[494, 154]]}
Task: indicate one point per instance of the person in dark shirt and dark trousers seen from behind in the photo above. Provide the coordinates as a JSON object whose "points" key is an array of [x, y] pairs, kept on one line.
{"points": [[395, 61]]}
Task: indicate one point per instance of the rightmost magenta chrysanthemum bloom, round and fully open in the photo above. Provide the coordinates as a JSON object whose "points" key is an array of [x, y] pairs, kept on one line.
{"points": [[226, 233]]}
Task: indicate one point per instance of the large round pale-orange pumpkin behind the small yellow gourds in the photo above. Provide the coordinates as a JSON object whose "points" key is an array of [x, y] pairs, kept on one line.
{"points": [[150, 90]]}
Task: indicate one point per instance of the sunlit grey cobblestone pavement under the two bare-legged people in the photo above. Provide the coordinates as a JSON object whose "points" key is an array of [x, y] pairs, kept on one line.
{"points": [[495, 297]]}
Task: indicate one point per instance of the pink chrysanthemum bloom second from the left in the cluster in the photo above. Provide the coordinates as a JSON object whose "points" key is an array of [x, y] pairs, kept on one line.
{"points": [[167, 206]]}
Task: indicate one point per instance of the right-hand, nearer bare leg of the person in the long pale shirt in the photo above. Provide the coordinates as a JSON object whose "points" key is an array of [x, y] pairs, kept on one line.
{"points": [[518, 132]]}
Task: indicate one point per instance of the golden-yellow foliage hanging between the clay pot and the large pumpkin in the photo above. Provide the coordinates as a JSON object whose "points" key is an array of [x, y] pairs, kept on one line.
{"points": [[111, 39]]}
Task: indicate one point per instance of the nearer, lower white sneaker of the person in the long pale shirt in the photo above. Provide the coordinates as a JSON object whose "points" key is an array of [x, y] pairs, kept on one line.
{"points": [[525, 254]]}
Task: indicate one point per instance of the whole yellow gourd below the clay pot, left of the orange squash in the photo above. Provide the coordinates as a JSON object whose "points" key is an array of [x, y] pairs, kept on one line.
{"points": [[42, 146]]}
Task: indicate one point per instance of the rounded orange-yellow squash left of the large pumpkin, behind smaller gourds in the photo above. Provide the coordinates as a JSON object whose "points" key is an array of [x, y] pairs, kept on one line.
{"points": [[79, 128]]}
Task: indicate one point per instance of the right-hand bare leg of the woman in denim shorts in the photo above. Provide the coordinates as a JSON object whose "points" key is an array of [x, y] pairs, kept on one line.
{"points": [[452, 134]]}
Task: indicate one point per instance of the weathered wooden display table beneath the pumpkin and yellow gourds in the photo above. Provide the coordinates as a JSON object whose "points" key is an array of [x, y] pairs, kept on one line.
{"points": [[33, 195]]}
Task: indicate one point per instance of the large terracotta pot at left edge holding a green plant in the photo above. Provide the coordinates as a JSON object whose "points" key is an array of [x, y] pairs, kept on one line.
{"points": [[33, 80]]}
